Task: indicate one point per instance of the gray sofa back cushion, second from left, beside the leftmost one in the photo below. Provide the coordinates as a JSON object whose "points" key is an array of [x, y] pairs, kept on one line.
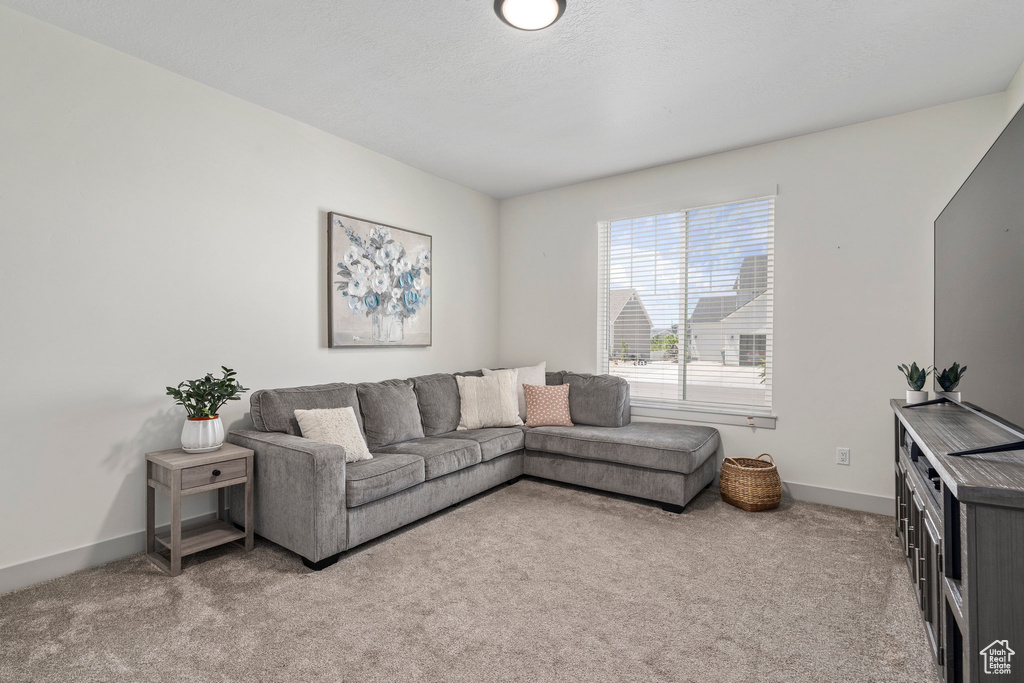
{"points": [[391, 413]]}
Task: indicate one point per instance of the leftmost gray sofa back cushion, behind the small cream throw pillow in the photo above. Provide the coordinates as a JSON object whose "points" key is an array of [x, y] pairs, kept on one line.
{"points": [[274, 410]]}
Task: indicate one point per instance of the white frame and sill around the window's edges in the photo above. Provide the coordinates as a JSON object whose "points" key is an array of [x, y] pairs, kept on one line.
{"points": [[746, 416]]}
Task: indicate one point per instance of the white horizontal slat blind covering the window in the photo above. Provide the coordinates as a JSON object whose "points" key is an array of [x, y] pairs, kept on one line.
{"points": [[686, 307]]}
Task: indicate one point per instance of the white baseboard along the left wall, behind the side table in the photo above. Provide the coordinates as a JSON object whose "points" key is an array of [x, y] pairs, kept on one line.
{"points": [[69, 562]]}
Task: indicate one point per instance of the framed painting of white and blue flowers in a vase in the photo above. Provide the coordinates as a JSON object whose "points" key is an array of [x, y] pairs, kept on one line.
{"points": [[379, 284]]}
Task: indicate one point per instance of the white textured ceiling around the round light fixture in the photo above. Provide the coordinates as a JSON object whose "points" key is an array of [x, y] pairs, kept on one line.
{"points": [[616, 86]]}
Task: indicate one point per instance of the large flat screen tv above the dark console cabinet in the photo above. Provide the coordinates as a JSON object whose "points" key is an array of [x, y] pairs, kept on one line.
{"points": [[979, 280]]}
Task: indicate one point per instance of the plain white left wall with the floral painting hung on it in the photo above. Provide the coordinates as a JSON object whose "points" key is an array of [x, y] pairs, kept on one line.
{"points": [[153, 229]]}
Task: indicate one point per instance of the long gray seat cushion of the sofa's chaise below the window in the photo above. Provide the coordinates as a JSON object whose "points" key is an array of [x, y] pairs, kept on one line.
{"points": [[657, 447]]}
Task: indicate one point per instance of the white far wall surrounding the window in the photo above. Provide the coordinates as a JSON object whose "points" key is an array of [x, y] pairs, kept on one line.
{"points": [[854, 275]]}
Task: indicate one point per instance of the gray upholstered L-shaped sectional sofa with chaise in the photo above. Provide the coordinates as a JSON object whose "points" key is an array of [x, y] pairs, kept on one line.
{"points": [[312, 502]]}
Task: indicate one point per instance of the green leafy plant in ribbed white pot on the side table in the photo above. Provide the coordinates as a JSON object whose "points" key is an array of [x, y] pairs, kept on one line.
{"points": [[203, 400]]}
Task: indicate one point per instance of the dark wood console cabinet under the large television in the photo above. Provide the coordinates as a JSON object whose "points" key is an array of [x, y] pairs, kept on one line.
{"points": [[961, 523]]}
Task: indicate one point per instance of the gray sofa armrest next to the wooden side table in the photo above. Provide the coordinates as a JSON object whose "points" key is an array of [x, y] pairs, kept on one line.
{"points": [[300, 490]]}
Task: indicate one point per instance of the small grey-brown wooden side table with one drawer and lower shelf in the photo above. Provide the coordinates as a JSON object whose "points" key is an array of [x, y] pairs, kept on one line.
{"points": [[179, 474]]}
